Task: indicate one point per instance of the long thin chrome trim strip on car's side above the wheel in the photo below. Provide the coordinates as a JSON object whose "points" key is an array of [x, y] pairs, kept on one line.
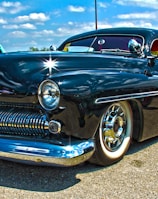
{"points": [[102, 100]]}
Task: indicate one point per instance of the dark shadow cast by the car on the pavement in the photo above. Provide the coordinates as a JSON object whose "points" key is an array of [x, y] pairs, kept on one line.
{"points": [[50, 179]]}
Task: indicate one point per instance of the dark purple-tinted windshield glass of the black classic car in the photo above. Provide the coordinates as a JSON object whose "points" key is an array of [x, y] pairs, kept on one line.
{"points": [[106, 43]]}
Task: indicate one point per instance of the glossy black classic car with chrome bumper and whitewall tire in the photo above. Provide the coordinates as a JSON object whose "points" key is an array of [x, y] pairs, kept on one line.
{"points": [[85, 101]]}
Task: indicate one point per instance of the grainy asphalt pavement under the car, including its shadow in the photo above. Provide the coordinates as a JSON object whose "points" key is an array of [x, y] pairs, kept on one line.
{"points": [[134, 177]]}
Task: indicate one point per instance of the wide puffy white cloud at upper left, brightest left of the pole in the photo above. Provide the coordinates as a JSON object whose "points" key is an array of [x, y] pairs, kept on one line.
{"points": [[32, 16]]}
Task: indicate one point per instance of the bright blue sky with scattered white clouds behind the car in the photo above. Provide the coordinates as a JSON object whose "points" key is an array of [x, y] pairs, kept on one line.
{"points": [[40, 23]]}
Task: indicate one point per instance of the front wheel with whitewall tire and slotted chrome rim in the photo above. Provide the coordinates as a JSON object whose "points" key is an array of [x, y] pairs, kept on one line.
{"points": [[114, 134]]}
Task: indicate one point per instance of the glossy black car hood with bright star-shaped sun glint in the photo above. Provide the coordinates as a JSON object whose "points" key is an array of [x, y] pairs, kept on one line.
{"points": [[23, 72]]}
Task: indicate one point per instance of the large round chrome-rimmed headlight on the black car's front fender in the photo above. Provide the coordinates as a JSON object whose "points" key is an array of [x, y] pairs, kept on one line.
{"points": [[48, 95]]}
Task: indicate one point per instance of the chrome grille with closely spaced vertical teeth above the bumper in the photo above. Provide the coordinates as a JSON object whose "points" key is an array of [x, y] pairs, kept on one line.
{"points": [[23, 122]]}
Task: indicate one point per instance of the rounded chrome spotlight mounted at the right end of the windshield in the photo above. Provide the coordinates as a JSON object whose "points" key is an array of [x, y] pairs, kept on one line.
{"points": [[134, 47]]}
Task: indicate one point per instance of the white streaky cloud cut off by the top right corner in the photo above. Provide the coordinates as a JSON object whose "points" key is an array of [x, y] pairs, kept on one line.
{"points": [[141, 3]]}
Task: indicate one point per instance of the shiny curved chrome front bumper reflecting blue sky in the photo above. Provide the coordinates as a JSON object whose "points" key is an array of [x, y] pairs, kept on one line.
{"points": [[41, 153]]}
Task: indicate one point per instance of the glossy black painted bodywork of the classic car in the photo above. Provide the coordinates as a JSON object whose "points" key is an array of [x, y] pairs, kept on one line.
{"points": [[83, 78]]}
